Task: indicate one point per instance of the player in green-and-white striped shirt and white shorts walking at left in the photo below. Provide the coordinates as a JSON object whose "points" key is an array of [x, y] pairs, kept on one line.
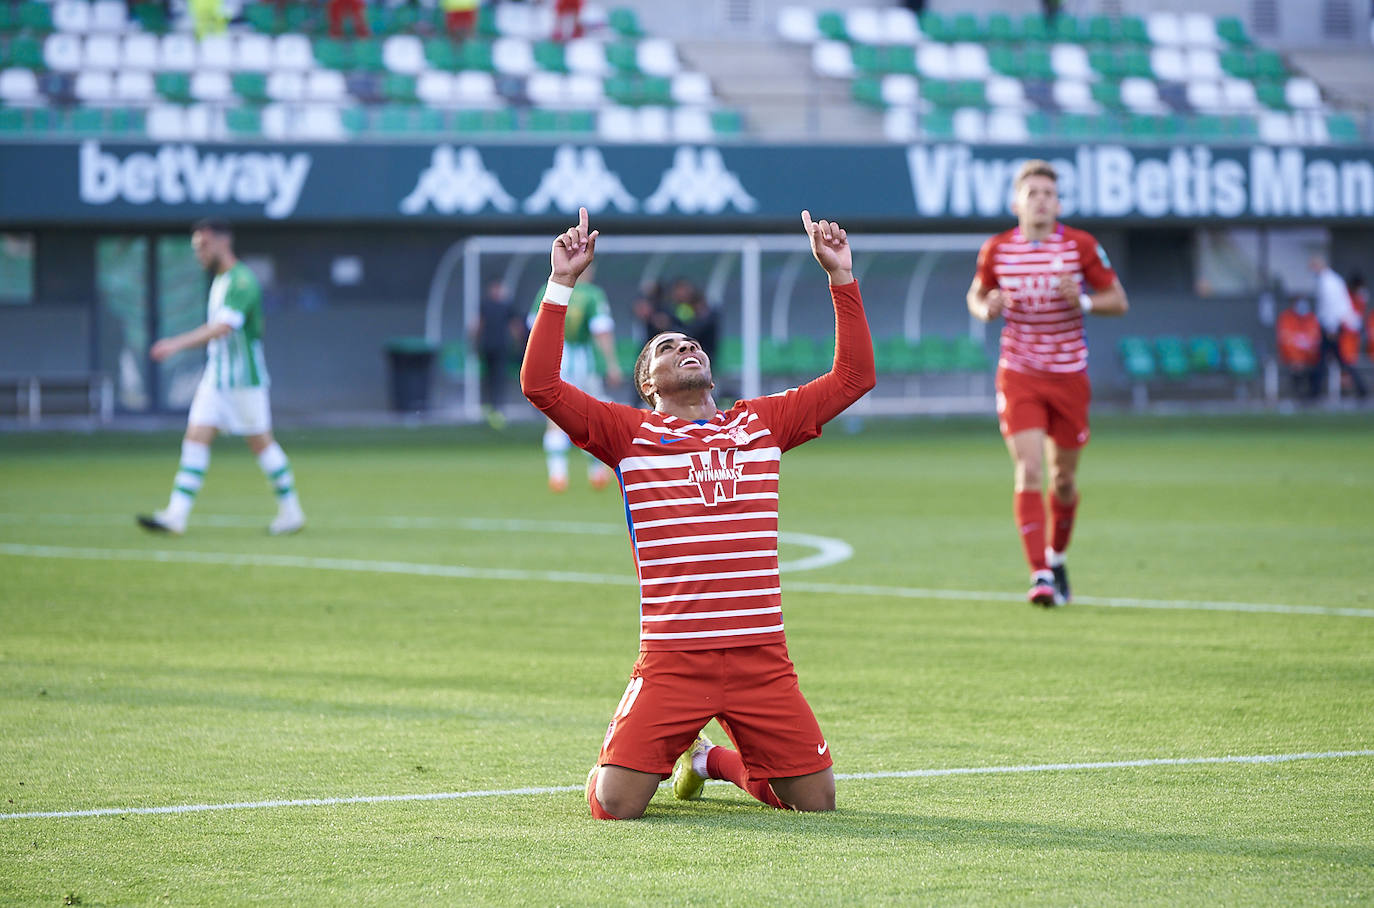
{"points": [[233, 392]]}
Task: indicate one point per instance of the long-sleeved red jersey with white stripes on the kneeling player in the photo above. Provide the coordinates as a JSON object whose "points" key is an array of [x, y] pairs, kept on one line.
{"points": [[701, 498]]}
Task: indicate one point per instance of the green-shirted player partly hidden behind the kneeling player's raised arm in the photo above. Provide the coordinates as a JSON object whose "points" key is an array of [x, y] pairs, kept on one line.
{"points": [[589, 324]]}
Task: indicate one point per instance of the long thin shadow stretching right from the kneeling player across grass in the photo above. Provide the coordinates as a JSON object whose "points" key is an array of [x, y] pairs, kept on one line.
{"points": [[945, 832]]}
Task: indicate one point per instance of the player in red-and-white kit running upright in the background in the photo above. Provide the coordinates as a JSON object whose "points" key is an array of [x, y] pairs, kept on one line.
{"points": [[1042, 278]]}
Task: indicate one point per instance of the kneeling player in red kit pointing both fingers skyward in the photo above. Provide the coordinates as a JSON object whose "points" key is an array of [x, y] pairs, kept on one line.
{"points": [[701, 499]]}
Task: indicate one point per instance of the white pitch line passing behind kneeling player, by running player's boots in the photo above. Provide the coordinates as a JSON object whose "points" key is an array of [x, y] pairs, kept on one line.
{"points": [[461, 572]]}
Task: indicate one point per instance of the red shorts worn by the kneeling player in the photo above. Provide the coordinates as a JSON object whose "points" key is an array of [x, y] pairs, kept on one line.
{"points": [[752, 692]]}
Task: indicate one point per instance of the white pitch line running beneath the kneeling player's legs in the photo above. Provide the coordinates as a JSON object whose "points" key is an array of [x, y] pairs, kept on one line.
{"points": [[851, 777]]}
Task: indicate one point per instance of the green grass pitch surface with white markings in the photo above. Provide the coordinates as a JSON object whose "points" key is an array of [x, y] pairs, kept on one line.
{"points": [[234, 668]]}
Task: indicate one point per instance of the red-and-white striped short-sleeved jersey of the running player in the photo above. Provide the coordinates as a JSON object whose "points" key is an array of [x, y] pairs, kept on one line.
{"points": [[1044, 332]]}
